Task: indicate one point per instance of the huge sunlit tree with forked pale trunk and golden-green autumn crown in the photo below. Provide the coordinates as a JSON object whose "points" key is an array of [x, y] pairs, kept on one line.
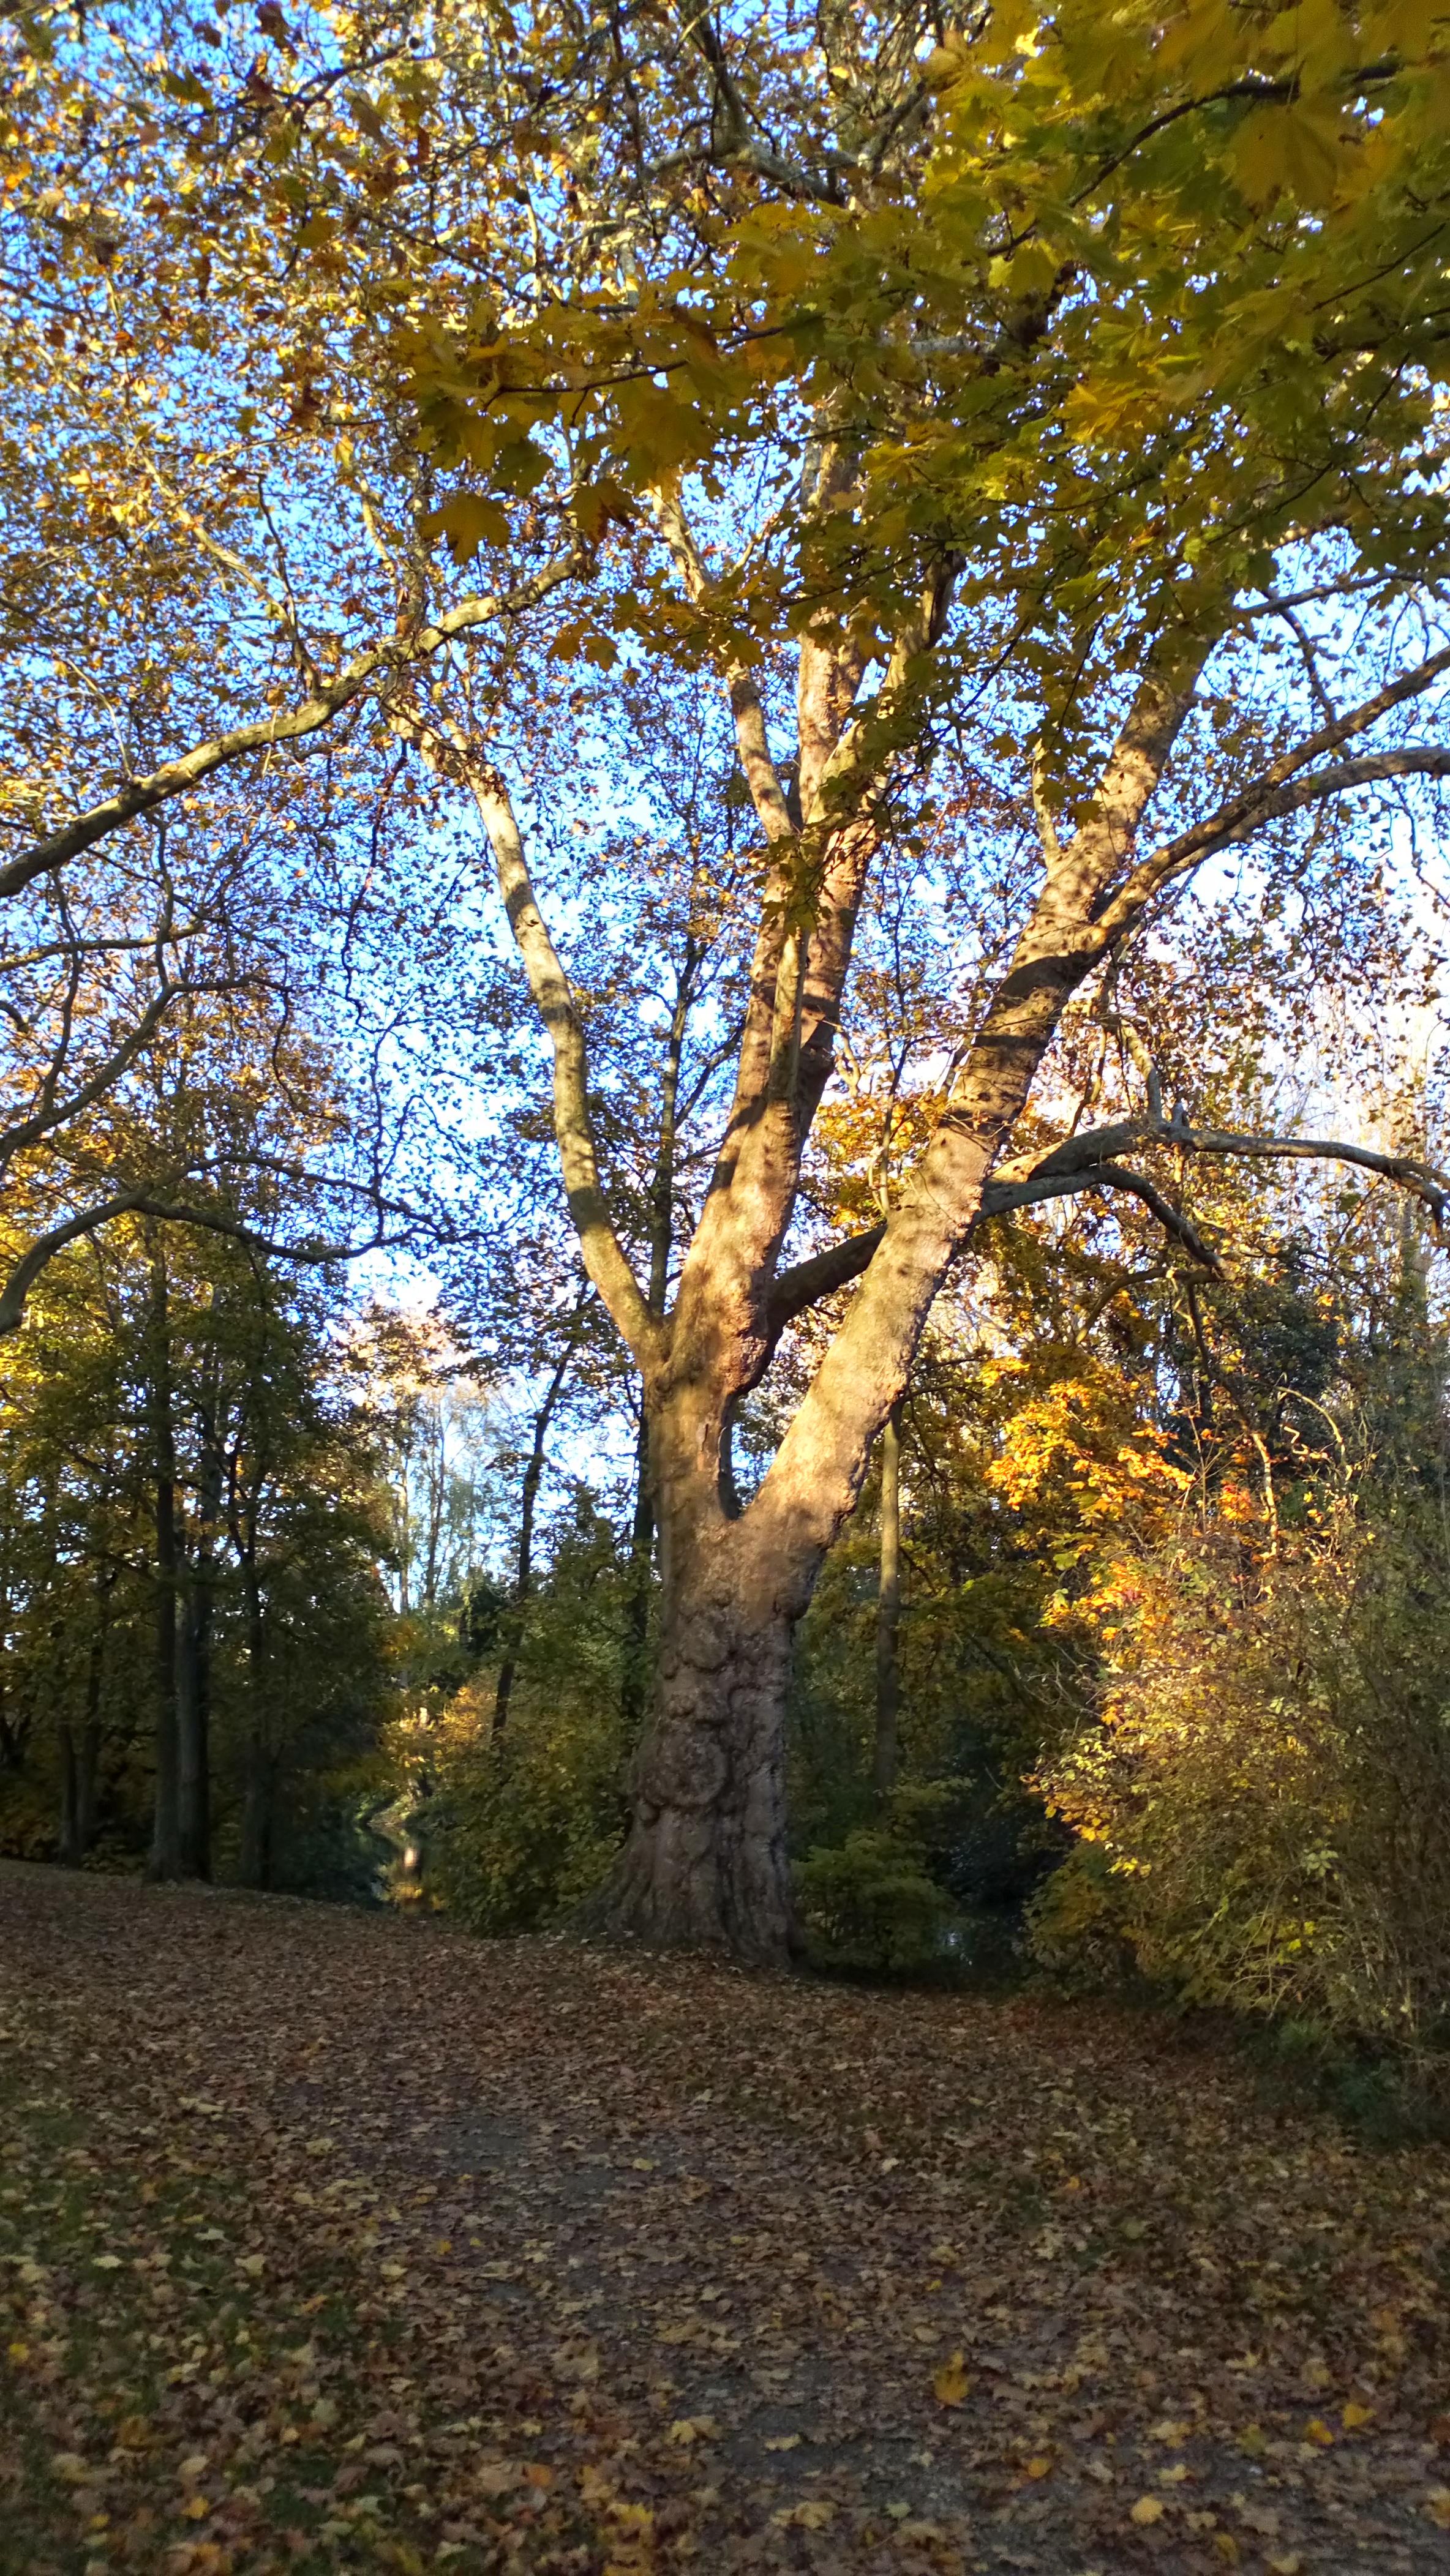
{"points": [[1011, 403]]}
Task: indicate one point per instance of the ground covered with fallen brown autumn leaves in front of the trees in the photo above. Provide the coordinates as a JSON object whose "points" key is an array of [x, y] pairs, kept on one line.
{"points": [[344, 2242]]}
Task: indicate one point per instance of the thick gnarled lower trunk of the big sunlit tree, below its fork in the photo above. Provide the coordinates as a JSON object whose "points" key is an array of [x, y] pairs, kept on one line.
{"points": [[704, 1864]]}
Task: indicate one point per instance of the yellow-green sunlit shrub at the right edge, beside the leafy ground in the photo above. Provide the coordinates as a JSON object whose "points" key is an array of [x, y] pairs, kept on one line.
{"points": [[1263, 1810]]}
